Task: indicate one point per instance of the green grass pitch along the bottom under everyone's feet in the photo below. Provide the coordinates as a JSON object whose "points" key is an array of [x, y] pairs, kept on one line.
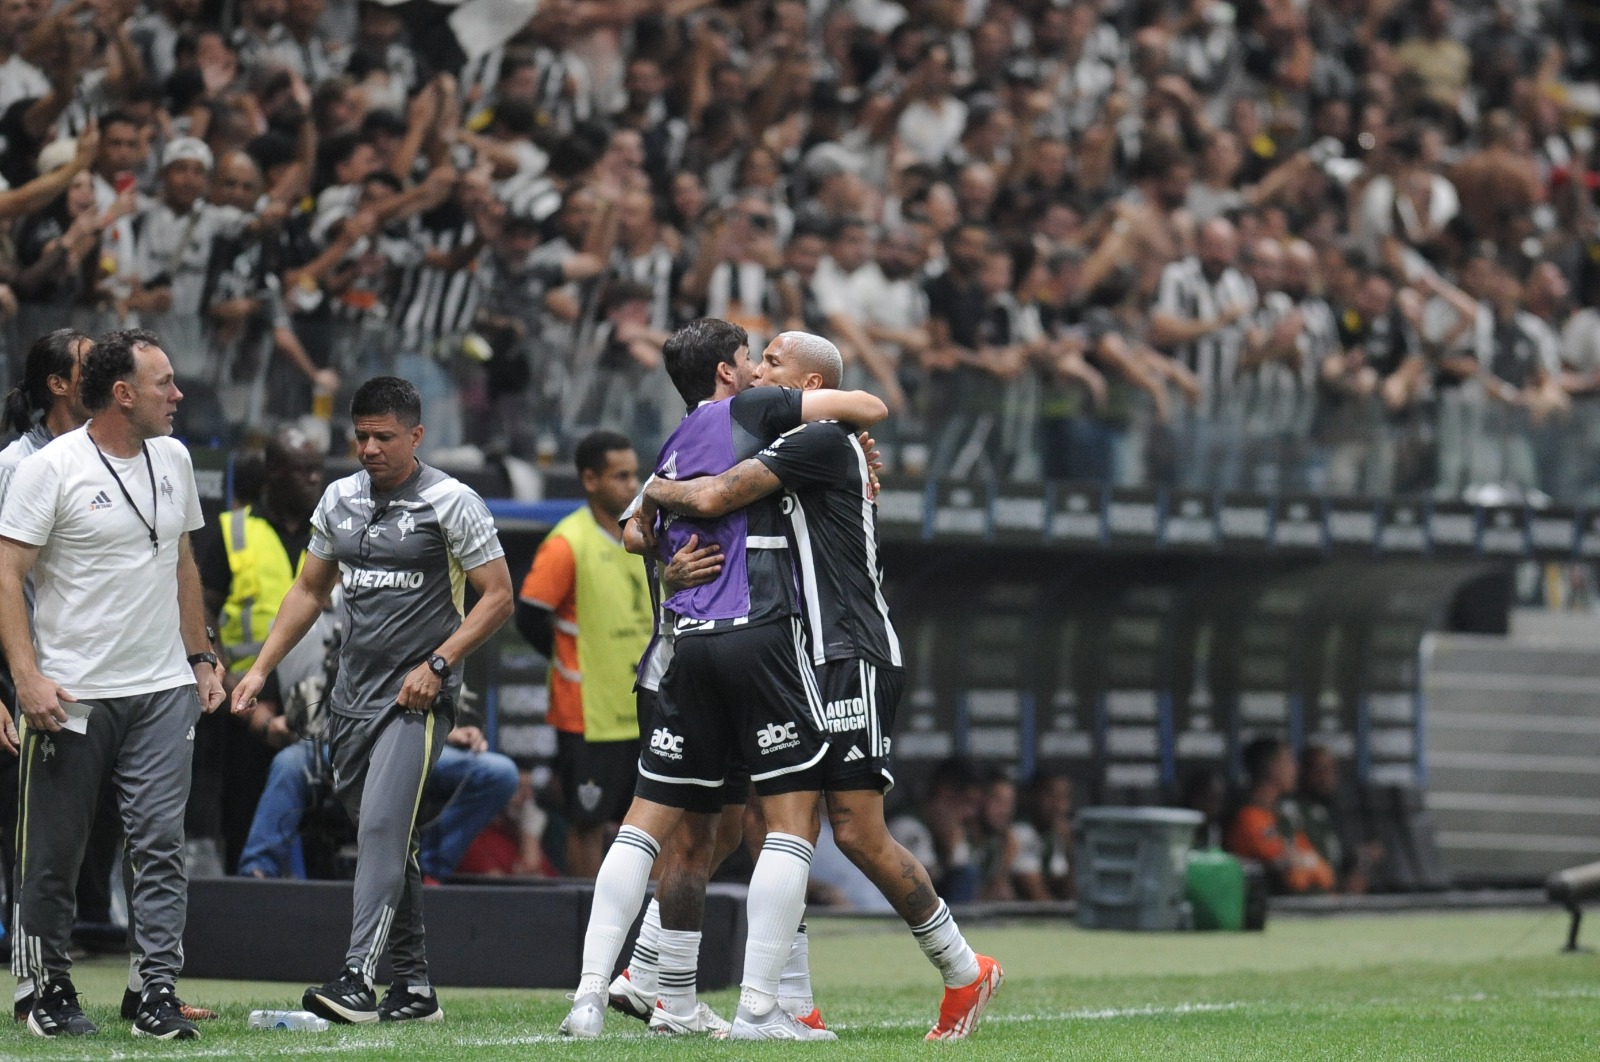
{"points": [[1462, 986]]}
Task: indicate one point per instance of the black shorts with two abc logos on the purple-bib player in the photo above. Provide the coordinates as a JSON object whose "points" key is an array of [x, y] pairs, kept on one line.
{"points": [[745, 693]]}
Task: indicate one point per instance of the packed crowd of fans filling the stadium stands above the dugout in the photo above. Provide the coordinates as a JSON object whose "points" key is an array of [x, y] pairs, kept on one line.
{"points": [[1342, 246]]}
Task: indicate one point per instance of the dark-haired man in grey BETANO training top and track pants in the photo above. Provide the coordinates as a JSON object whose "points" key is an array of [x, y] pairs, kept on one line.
{"points": [[407, 537]]}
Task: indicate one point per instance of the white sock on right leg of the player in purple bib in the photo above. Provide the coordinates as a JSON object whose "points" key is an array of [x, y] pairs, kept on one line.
{"points": [[777, 904]]}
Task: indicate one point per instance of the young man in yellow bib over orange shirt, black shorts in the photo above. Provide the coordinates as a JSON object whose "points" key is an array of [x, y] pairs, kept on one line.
{"points": [[586, 607]]}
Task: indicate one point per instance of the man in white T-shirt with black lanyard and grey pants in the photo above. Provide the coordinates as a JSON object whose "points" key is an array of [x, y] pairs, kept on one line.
{"points": [[114, 677]]}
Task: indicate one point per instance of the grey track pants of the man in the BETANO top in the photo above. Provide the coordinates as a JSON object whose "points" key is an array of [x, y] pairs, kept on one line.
{"points": [[380, 767]]}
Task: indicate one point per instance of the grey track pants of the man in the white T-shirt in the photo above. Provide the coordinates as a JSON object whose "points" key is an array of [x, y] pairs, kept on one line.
{"points": [[146, 746]]}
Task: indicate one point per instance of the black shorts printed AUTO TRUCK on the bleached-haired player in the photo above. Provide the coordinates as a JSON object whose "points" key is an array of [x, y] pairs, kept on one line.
{"points": [[860, 700]]}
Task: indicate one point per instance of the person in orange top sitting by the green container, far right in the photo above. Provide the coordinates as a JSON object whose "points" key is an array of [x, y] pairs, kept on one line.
{"points": [[1262, 831]]}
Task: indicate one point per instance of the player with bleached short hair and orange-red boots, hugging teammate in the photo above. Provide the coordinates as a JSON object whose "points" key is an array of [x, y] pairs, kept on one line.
{"points": [[833, 519]]}
